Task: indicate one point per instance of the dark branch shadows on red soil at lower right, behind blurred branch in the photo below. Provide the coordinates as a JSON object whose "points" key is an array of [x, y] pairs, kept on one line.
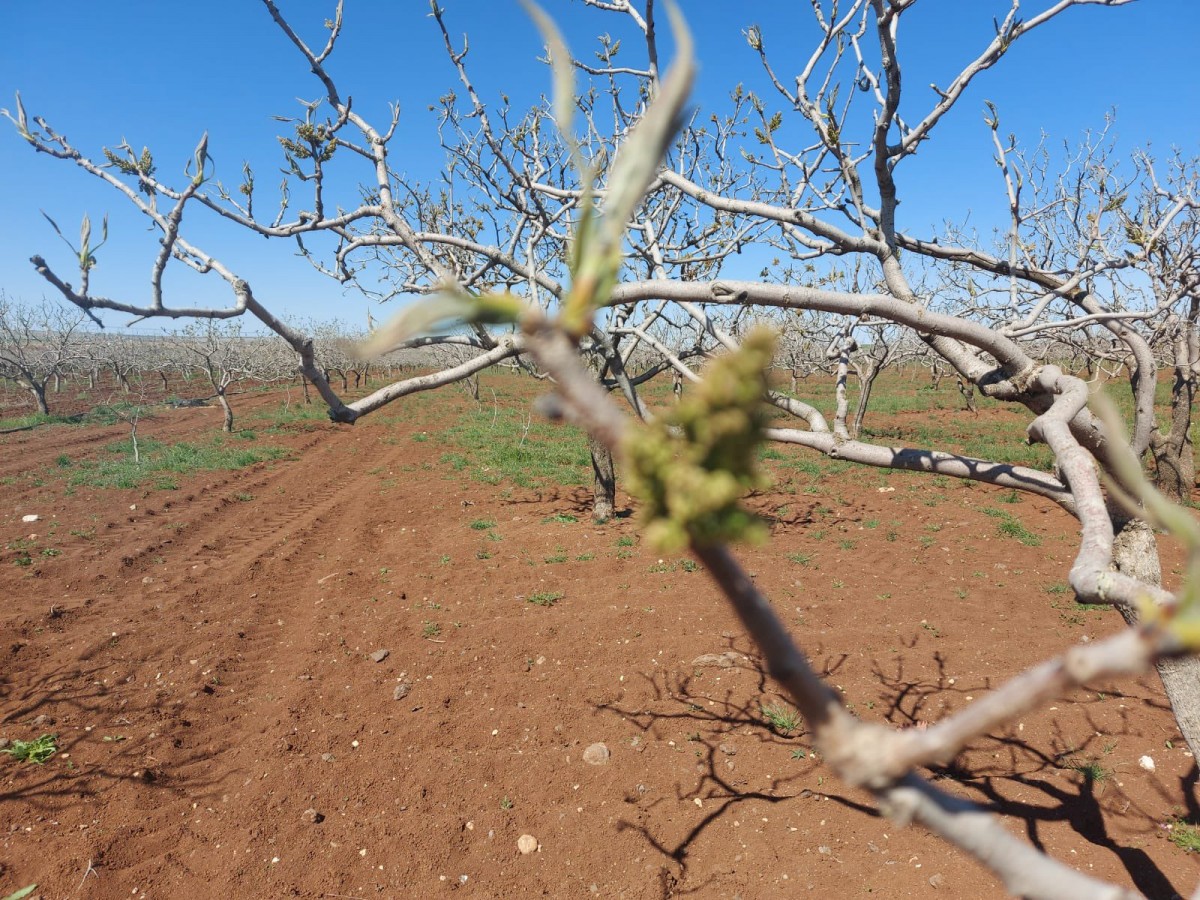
{"points": [[1070, 778]]}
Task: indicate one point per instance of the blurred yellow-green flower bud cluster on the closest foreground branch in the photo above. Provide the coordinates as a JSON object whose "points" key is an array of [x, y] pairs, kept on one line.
{"points": [[693, 465]]}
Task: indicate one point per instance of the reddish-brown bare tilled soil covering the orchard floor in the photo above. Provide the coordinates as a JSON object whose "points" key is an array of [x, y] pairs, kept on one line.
{"points": [[203, 656]]}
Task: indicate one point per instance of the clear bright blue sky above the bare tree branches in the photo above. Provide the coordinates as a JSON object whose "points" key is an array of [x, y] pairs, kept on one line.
{"points": [[160, 74]]}
